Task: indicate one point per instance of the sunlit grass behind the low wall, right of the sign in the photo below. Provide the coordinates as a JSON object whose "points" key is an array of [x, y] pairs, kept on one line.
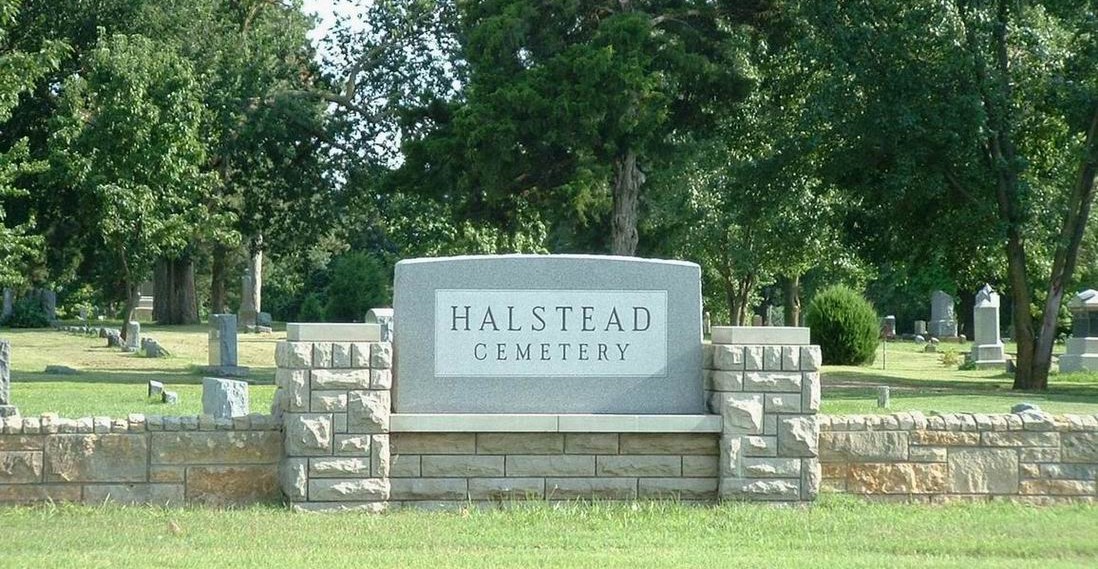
{"points": [[920, 382]]}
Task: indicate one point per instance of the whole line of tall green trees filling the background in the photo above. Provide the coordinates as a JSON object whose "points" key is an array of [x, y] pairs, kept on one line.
{"points": [[899, 148]]}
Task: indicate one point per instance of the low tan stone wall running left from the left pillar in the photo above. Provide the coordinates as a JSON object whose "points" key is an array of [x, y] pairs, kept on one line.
{"points": [[140, 460]]}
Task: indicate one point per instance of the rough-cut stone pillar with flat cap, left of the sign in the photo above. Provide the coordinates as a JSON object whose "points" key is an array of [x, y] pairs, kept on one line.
{"points": [[334, 401]]}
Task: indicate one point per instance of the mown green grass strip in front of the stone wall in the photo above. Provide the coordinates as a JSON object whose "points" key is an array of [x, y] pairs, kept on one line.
{"points": [[837, 532]]}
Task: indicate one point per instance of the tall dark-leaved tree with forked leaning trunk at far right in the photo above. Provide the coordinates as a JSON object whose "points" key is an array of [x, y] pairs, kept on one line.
{"points": [[987, 129]]}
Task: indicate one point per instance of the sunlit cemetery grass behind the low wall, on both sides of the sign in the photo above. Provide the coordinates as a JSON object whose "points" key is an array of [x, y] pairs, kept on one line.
{"points": [[113, 383]]}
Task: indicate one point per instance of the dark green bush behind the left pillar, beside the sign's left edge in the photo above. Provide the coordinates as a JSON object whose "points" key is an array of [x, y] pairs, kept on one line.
{"points": [[360, 283]]}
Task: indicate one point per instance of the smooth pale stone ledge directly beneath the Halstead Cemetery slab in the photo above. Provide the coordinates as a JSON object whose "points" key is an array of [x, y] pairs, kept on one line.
{"points": [[551, 423]]}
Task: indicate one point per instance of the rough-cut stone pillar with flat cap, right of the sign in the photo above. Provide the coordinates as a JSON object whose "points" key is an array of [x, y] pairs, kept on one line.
{"points": [[765, 383]]}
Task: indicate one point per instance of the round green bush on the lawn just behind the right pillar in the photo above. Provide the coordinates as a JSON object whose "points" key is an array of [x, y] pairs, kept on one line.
{"points": [[845, 327]]}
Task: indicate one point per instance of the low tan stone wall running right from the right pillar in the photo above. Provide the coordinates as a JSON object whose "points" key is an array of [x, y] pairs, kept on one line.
{"points": [[1030, 458]]}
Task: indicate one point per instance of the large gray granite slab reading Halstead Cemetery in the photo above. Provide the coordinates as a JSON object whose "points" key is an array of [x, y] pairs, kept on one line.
{"points": [[548, 334]]}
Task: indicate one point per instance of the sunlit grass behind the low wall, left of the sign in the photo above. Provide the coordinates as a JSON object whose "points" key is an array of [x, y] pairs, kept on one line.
{"points": [[113, 383]]}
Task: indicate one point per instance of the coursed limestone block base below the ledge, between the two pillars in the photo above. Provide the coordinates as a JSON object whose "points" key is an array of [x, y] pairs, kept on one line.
{"points": [[433, 470]]}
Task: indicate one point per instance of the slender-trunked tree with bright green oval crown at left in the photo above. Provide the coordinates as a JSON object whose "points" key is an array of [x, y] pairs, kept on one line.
{"points": [[129, 139]]}
